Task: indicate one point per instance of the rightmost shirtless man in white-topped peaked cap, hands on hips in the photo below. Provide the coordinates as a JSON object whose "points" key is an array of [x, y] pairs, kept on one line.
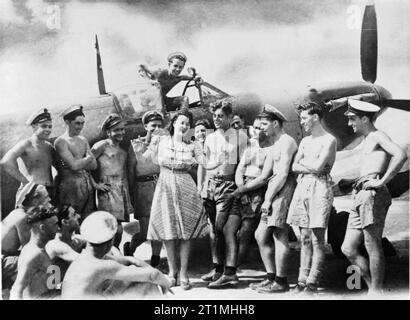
{"points": [[381, 160]]}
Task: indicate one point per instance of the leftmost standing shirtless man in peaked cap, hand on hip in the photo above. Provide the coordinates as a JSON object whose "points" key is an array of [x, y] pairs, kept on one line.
{"points": [[35, 153]]}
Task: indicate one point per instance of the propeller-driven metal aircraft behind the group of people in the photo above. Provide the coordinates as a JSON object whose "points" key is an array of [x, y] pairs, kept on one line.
{"points": [[131, 104]]}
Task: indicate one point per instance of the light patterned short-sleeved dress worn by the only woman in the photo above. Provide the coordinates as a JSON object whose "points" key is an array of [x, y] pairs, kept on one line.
{"points": [[176, 211]]}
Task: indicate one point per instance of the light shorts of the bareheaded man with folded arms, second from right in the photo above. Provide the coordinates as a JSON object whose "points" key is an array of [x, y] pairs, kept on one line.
{"points": [[312, 202]]}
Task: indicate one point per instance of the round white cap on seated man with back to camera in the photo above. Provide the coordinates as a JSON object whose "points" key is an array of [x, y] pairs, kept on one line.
{"points": [[99, 227]]}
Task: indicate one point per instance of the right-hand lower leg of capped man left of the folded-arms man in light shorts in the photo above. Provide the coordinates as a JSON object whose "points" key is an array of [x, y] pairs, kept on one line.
{"points": [[282, 250]]}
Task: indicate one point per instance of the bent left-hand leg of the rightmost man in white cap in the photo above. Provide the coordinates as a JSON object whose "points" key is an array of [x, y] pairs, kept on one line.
{"points": [[350, 248]]}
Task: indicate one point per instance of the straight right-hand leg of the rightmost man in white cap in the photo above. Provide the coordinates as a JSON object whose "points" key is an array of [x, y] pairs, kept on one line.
{"points": [[373, 243]]}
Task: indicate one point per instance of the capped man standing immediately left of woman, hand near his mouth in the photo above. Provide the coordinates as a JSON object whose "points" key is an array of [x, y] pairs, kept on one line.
{"points": [[143, 176]]}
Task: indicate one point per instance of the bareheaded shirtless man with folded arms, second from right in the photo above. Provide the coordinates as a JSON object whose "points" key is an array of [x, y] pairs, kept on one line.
{"points": [[313, 198]]}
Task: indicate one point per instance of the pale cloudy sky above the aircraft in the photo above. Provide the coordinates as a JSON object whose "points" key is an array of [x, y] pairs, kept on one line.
{"points": [[47, 53]]}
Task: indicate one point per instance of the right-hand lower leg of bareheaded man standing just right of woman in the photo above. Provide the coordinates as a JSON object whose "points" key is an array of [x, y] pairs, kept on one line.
{"points": [[231, 242]]}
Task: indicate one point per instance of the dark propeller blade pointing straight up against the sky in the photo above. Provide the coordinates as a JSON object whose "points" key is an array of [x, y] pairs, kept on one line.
{"points": [[368, 44]]}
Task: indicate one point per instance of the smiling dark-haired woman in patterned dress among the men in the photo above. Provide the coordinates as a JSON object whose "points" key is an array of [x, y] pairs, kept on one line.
{"points": [[176, 212]]}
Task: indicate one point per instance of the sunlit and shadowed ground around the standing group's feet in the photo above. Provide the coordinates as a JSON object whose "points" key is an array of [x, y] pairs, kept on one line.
{"points": [[334, 278]]}
